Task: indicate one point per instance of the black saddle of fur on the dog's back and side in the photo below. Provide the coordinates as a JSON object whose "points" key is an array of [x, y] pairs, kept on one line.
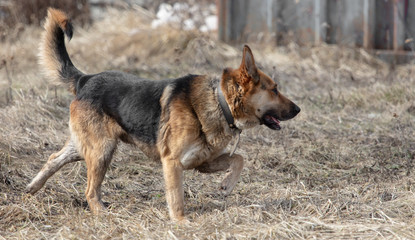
{"points": [[131, 101]]}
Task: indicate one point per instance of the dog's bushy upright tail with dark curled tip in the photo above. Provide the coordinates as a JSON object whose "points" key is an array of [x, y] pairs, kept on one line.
{"points": [[53, 56]]}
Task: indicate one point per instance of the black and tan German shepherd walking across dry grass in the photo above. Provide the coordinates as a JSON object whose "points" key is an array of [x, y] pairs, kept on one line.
{"points": [[186, 123]]}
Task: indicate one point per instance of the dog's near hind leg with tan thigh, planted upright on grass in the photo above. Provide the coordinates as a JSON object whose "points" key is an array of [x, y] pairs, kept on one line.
{"points": [[97, 136]]}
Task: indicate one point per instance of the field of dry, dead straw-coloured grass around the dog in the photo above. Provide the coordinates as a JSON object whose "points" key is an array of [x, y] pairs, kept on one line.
{"points": [[343, 169]]}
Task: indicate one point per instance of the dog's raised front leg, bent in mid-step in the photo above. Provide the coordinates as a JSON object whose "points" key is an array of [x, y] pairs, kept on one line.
{"points": [[233, 166]]}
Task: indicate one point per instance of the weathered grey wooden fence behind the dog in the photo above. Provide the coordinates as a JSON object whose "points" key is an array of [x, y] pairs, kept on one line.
{"points": [[372, 24]]}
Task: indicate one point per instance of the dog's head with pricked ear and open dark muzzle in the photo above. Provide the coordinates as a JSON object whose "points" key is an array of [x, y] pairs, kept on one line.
{"points": [[254, 97]]}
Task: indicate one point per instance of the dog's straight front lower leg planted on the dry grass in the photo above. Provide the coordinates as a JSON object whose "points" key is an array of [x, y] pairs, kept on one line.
{"points": [[173, 177]]}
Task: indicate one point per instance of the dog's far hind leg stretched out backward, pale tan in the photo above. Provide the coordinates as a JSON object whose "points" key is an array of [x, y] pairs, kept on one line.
{"points": [[68, 154]]}
